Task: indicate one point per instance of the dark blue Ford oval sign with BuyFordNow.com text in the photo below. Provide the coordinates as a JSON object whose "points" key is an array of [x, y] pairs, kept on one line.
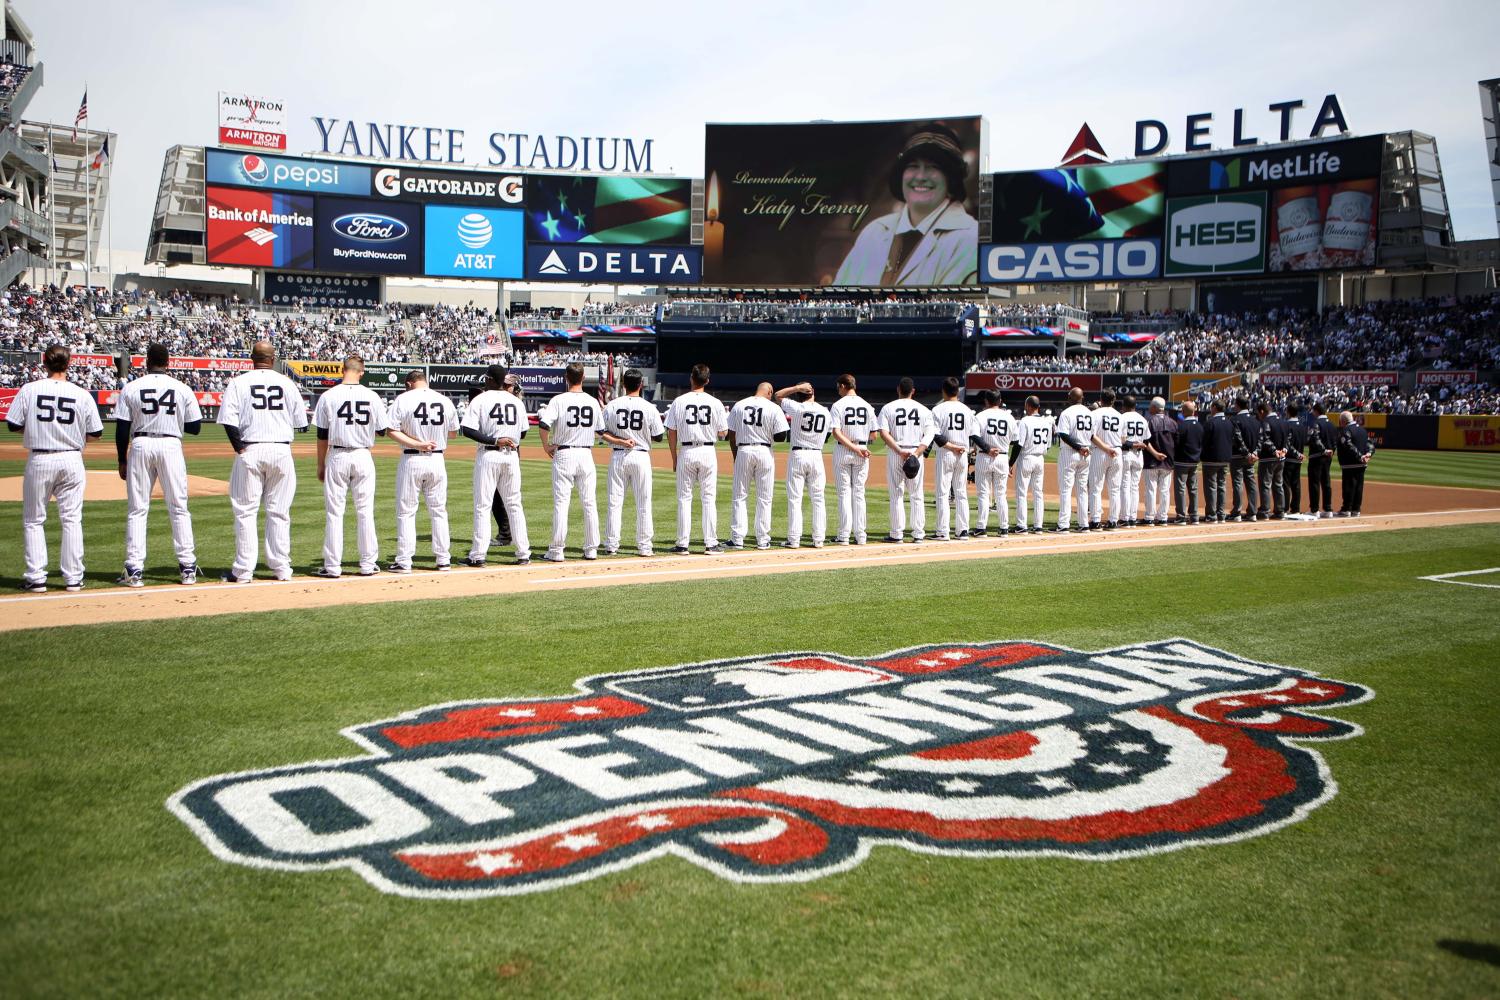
{"points": [[370, 236]]}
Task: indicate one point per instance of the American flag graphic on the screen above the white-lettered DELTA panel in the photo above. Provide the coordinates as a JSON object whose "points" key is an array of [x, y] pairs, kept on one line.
{"points": [[614, 211]]}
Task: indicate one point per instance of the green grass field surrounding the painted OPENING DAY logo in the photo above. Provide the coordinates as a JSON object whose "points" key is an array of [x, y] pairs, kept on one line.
{"points": [[1391, 888]]}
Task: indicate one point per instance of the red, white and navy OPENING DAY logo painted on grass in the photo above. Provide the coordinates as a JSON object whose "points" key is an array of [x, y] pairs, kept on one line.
{"points": [[793, 767]]}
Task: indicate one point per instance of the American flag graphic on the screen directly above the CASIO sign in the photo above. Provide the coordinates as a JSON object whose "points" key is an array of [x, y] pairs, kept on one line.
{"points": [[1079, 203]]}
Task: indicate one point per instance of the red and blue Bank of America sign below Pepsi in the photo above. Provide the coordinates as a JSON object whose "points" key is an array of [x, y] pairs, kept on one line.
{"points": [[253, 229]]}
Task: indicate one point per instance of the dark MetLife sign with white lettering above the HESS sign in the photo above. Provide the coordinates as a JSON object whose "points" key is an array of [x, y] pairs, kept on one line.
{"points": [[1279, 167]]}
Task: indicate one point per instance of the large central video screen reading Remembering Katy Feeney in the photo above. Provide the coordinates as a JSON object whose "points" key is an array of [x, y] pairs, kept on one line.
{"points": [[823, 203]]}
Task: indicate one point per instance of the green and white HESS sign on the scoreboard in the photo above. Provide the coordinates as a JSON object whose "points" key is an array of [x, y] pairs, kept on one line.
{"points": [[1217, 235]]}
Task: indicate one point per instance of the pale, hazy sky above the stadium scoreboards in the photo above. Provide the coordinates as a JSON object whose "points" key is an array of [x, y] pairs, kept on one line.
{"points": [[661, 71]]}
